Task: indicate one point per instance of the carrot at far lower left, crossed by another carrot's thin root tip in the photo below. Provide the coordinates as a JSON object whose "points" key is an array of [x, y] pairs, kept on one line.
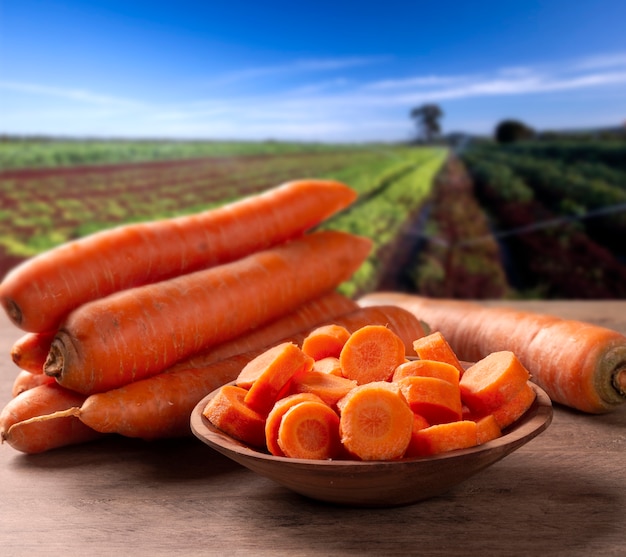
{"points": [[20, 428]]}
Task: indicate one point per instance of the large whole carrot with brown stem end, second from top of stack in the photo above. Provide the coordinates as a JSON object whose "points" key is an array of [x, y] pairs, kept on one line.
{"points": [[139, 332]]}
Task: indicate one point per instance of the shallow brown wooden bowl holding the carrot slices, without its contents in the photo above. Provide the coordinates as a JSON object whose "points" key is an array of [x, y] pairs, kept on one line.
{"points": [[377, 483]]}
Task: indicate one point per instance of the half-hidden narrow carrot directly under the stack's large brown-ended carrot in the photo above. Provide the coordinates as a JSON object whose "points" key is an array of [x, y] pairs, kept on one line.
{"points": [[310, 314]]}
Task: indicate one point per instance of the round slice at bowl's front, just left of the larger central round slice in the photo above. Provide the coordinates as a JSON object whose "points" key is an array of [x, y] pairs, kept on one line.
{"points": [[310, 430]]}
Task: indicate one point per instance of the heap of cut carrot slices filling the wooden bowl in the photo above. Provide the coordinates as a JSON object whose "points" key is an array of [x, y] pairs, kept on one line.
{"points": [[355, 395]]}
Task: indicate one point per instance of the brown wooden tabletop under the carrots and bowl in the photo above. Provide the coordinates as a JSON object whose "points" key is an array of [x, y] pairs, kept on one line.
{"points": [[564, 494]]}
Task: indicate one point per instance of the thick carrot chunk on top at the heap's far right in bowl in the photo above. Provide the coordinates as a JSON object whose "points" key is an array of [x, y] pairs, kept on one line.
{"points": [[492, 381]]}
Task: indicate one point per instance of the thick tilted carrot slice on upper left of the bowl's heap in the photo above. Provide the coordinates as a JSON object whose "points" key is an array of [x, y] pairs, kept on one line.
{"points": [[273, 369]]}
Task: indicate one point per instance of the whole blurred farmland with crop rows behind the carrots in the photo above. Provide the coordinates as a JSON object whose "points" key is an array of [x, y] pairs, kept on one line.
{"points": [[532, 219]]}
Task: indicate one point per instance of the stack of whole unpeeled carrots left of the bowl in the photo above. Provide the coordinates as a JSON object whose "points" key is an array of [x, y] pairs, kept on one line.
{"points": [[128, 329]]}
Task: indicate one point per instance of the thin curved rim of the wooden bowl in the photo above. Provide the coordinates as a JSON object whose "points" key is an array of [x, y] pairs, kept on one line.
{"points": [[534, 421]]}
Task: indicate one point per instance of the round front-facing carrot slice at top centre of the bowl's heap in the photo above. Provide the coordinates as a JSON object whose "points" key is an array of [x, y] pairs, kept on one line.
{"points": [[372, 354]]}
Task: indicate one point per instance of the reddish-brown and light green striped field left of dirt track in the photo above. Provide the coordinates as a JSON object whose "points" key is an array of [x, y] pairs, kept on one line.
{"points": [[43, 207]]}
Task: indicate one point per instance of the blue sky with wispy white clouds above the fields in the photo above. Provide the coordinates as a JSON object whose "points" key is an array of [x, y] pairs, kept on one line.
{"points": [[322, 71]]}
